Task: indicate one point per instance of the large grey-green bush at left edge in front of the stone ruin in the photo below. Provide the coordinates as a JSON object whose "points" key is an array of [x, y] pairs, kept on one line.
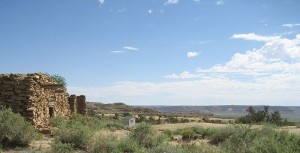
{"points": [[15, 131]]}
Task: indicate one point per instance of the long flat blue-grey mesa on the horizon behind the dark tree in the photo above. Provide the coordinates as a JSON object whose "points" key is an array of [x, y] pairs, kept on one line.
{"points": [[292, 113]]}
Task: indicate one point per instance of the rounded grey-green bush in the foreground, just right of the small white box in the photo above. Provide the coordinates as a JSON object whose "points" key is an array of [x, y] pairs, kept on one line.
{"points": [[146, 136]]}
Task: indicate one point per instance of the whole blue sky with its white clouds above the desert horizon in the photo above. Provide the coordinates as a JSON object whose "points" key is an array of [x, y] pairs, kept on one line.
{"points": [[159, 52]]}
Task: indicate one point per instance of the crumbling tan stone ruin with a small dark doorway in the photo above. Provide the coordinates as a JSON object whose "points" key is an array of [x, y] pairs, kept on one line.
{"points": [[38, 98]]}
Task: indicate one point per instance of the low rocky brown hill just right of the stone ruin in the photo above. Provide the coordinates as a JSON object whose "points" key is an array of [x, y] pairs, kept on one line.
{"points": [[119, 108]]}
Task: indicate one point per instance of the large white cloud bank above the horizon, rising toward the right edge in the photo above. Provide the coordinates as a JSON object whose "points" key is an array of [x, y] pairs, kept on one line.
{"points": [[269, 75]]}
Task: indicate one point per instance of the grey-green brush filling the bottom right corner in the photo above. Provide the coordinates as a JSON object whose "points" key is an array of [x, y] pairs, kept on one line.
{"points": [[247, 139]]}
